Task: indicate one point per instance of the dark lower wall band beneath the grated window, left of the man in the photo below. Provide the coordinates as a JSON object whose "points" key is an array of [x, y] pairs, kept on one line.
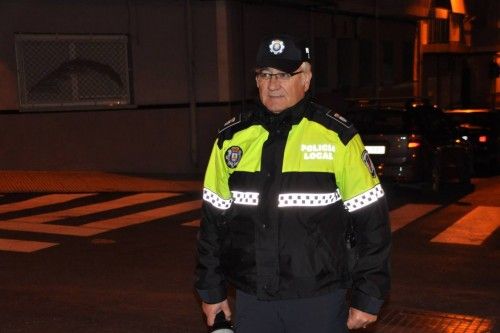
{"points": [[145, 141]]}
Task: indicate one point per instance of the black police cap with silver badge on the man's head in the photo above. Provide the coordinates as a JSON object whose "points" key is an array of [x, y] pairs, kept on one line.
{"points": [[282, 52]]}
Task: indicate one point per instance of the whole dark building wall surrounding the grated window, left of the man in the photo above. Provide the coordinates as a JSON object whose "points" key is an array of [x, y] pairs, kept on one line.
{"points": [[144, 138]]}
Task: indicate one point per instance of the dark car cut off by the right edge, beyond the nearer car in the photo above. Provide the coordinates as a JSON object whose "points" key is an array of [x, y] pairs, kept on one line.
{"points": [[480, 127]]}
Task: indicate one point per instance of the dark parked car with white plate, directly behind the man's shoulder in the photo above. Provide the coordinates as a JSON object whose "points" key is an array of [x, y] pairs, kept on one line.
{"points": [[414, 143]]}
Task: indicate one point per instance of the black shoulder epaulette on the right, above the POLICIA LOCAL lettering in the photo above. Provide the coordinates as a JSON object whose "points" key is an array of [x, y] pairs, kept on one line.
{"points": [[333, 121]]}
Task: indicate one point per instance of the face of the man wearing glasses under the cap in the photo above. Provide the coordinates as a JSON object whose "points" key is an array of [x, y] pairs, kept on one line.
{"points": [[279, 94]]}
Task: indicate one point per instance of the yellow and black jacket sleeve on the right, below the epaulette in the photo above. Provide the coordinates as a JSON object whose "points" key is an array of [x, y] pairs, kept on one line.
{"points": [[365, 201]]}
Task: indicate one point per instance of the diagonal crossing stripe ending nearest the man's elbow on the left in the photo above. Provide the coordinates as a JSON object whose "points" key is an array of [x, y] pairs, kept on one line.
{"points": [[144, 216]]}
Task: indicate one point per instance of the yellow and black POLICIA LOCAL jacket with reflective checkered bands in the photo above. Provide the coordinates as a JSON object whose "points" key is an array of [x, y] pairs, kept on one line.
{"points": [[280, 193]]}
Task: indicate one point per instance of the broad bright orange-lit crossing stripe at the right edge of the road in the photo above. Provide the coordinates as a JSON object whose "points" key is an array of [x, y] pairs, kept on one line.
{"points": [[473, 228]]}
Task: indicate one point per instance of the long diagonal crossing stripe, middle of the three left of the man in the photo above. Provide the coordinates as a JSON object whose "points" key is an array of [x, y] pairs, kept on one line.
{"points": [[94, 208]]}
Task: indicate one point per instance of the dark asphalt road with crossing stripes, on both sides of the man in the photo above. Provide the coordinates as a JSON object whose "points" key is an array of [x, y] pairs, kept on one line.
{"points": [[121, 262]]}
